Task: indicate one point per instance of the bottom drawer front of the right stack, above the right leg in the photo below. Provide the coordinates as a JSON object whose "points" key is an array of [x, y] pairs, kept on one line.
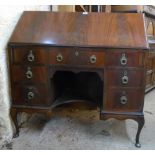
{"points": [[124, 100]]}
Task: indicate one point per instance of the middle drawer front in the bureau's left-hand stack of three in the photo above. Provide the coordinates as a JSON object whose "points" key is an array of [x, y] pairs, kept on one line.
{"points": [[29, 74]]}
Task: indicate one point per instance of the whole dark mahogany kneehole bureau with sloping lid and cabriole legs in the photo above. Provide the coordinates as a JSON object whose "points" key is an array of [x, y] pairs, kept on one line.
{"points": [[60, 58]]}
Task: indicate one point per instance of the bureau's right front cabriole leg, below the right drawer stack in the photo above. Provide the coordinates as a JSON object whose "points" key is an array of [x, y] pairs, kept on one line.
{"points": [[140, 122]]}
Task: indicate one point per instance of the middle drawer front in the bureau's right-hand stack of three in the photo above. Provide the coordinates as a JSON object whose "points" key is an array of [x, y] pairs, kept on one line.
{"points": [[125, 77]]}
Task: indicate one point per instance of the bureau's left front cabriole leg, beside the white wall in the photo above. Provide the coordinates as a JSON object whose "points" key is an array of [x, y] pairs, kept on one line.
{"points": [[14, 118]]}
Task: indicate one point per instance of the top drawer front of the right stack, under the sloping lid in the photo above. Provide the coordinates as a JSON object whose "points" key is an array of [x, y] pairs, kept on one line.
{"points": [[124, 58]]}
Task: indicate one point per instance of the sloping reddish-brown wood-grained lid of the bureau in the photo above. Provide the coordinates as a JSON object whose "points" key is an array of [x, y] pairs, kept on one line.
{"points": [[113, 30]]}
